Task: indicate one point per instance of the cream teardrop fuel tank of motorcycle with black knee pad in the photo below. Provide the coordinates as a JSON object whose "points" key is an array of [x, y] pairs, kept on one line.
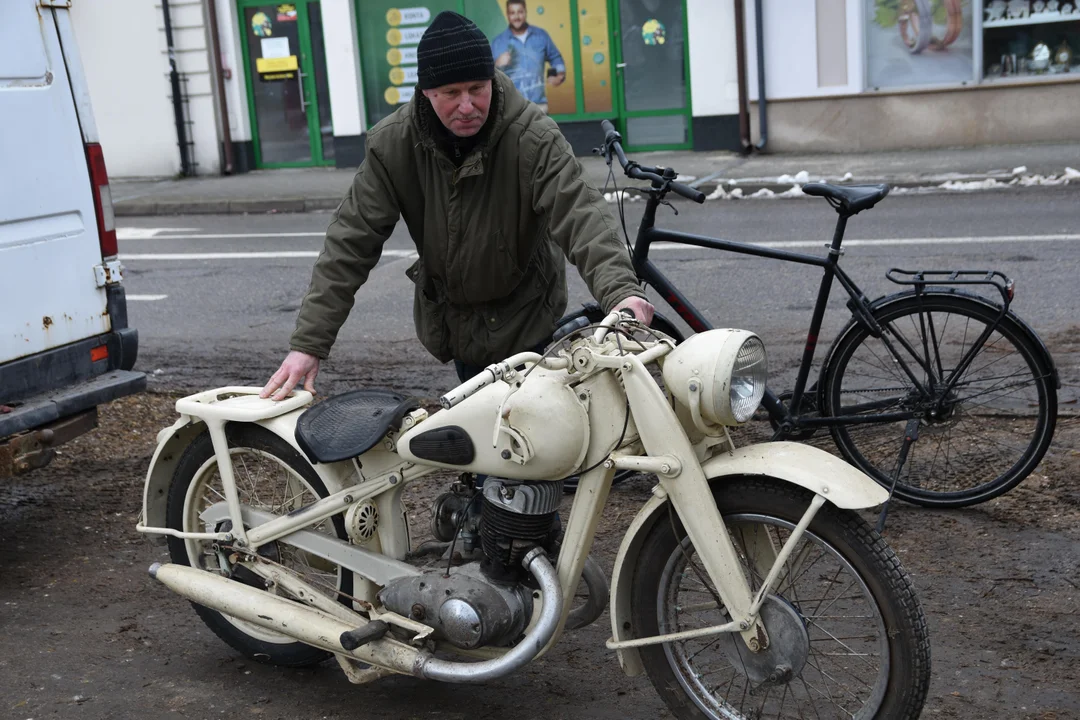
{"points": [[543, 433]]}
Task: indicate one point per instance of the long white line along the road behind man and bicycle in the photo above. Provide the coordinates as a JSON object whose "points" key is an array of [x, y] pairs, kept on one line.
{"points": [[656, 247]]}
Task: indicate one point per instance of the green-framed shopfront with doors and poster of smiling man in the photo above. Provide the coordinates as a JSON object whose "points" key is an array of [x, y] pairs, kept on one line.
{"points": [[628, 61]]}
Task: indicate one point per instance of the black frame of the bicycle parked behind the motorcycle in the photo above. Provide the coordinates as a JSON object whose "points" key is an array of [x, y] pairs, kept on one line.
{"points": [[789, 417]]}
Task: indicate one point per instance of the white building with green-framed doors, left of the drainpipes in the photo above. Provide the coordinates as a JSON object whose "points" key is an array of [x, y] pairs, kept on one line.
{"points": [[299, 85]]}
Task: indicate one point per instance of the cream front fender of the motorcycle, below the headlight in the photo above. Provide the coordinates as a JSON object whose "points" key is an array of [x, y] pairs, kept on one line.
{"points": [[800, 465]]}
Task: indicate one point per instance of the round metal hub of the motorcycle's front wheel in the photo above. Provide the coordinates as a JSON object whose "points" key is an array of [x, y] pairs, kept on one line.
{"points": [[787, 653]]}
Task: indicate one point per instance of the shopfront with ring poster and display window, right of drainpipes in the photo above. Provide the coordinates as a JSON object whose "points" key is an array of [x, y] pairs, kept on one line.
{"points": [[879, 75]]}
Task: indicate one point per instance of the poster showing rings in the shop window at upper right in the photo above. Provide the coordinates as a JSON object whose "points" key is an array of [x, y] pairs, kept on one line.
{"points": [[919, 43]]}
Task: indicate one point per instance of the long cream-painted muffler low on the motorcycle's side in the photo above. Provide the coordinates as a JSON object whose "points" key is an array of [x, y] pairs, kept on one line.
{"points": [[281, 616]]}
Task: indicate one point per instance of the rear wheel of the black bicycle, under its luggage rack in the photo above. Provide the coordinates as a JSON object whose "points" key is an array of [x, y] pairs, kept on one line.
{"points": [[981, 433]]}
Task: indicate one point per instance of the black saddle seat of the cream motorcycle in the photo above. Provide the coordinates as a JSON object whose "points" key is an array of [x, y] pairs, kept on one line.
{"points": [[350, 425]]}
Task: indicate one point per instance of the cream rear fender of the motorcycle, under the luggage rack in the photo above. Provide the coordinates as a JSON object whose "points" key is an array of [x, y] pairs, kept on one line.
{"points": [[173, 441]]}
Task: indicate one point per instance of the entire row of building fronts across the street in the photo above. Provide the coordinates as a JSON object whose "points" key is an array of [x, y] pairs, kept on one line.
{"points": [[272, 85]]}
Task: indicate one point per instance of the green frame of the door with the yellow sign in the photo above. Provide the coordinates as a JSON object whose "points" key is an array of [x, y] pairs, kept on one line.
{"points": [[307, 86]]}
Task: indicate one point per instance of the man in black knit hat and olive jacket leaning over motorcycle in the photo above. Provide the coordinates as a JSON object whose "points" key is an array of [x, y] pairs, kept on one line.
{"points": [[494, 200]]}
